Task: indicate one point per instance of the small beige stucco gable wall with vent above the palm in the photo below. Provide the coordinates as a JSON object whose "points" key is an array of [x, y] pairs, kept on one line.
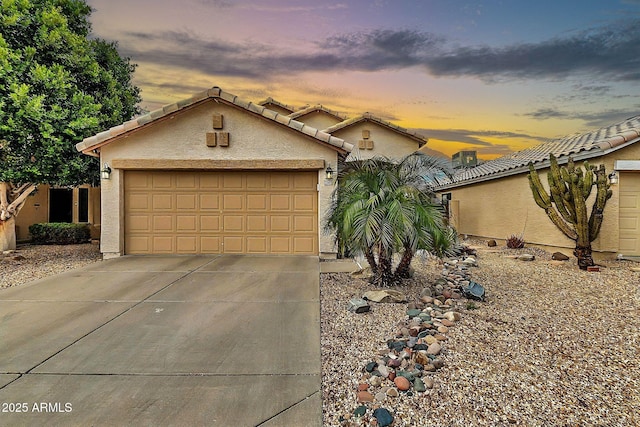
{"points": [[386, 142]]}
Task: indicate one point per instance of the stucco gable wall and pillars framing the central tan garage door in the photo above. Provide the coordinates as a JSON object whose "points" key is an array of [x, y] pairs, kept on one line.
{"points": [[184, 136]]}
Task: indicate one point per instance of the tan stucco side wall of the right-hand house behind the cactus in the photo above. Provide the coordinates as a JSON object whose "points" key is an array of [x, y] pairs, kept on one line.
{"points": [[501, 207]]}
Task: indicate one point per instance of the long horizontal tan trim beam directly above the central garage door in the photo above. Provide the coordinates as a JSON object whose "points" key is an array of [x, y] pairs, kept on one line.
{"points": [[205, 164]]}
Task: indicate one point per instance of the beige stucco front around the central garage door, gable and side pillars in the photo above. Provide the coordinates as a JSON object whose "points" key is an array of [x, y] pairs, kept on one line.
{"points": [[179, 142]]}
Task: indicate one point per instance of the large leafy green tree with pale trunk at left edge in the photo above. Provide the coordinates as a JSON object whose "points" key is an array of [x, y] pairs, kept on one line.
{"points": [[57, 86]]}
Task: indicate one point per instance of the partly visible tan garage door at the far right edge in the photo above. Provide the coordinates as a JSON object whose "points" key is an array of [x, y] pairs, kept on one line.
{"points": [[630, 213]]}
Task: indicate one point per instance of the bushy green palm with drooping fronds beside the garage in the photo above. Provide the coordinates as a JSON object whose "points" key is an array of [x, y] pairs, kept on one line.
{"points": [[383, 208]]}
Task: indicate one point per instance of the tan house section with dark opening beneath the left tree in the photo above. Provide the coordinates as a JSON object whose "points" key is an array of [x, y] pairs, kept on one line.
{"points": [[53, 204]]}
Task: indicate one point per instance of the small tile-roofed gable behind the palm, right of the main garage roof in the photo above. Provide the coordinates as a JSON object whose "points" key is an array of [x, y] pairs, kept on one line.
{"points": [[376, 137]]}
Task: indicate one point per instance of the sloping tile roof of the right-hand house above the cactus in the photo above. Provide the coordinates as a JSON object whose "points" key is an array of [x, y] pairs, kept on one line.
{"points": [[579, 146]]}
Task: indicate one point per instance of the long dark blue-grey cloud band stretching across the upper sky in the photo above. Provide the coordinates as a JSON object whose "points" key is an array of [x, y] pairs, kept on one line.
{"points": [[608, 52]]}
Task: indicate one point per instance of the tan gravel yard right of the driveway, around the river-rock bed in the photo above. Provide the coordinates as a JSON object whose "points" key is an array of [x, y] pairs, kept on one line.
{"points": [[550, 346]]}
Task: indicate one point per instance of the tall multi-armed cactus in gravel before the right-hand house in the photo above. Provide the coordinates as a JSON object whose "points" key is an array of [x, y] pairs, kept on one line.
{"points": [[565, 204]]}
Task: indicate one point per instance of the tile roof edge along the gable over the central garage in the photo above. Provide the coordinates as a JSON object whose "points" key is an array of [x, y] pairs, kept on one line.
{"points": [[88, 145]]}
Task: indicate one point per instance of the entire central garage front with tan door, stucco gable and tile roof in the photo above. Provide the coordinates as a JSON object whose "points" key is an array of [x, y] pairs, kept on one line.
{"points": [[215, 174]]}
